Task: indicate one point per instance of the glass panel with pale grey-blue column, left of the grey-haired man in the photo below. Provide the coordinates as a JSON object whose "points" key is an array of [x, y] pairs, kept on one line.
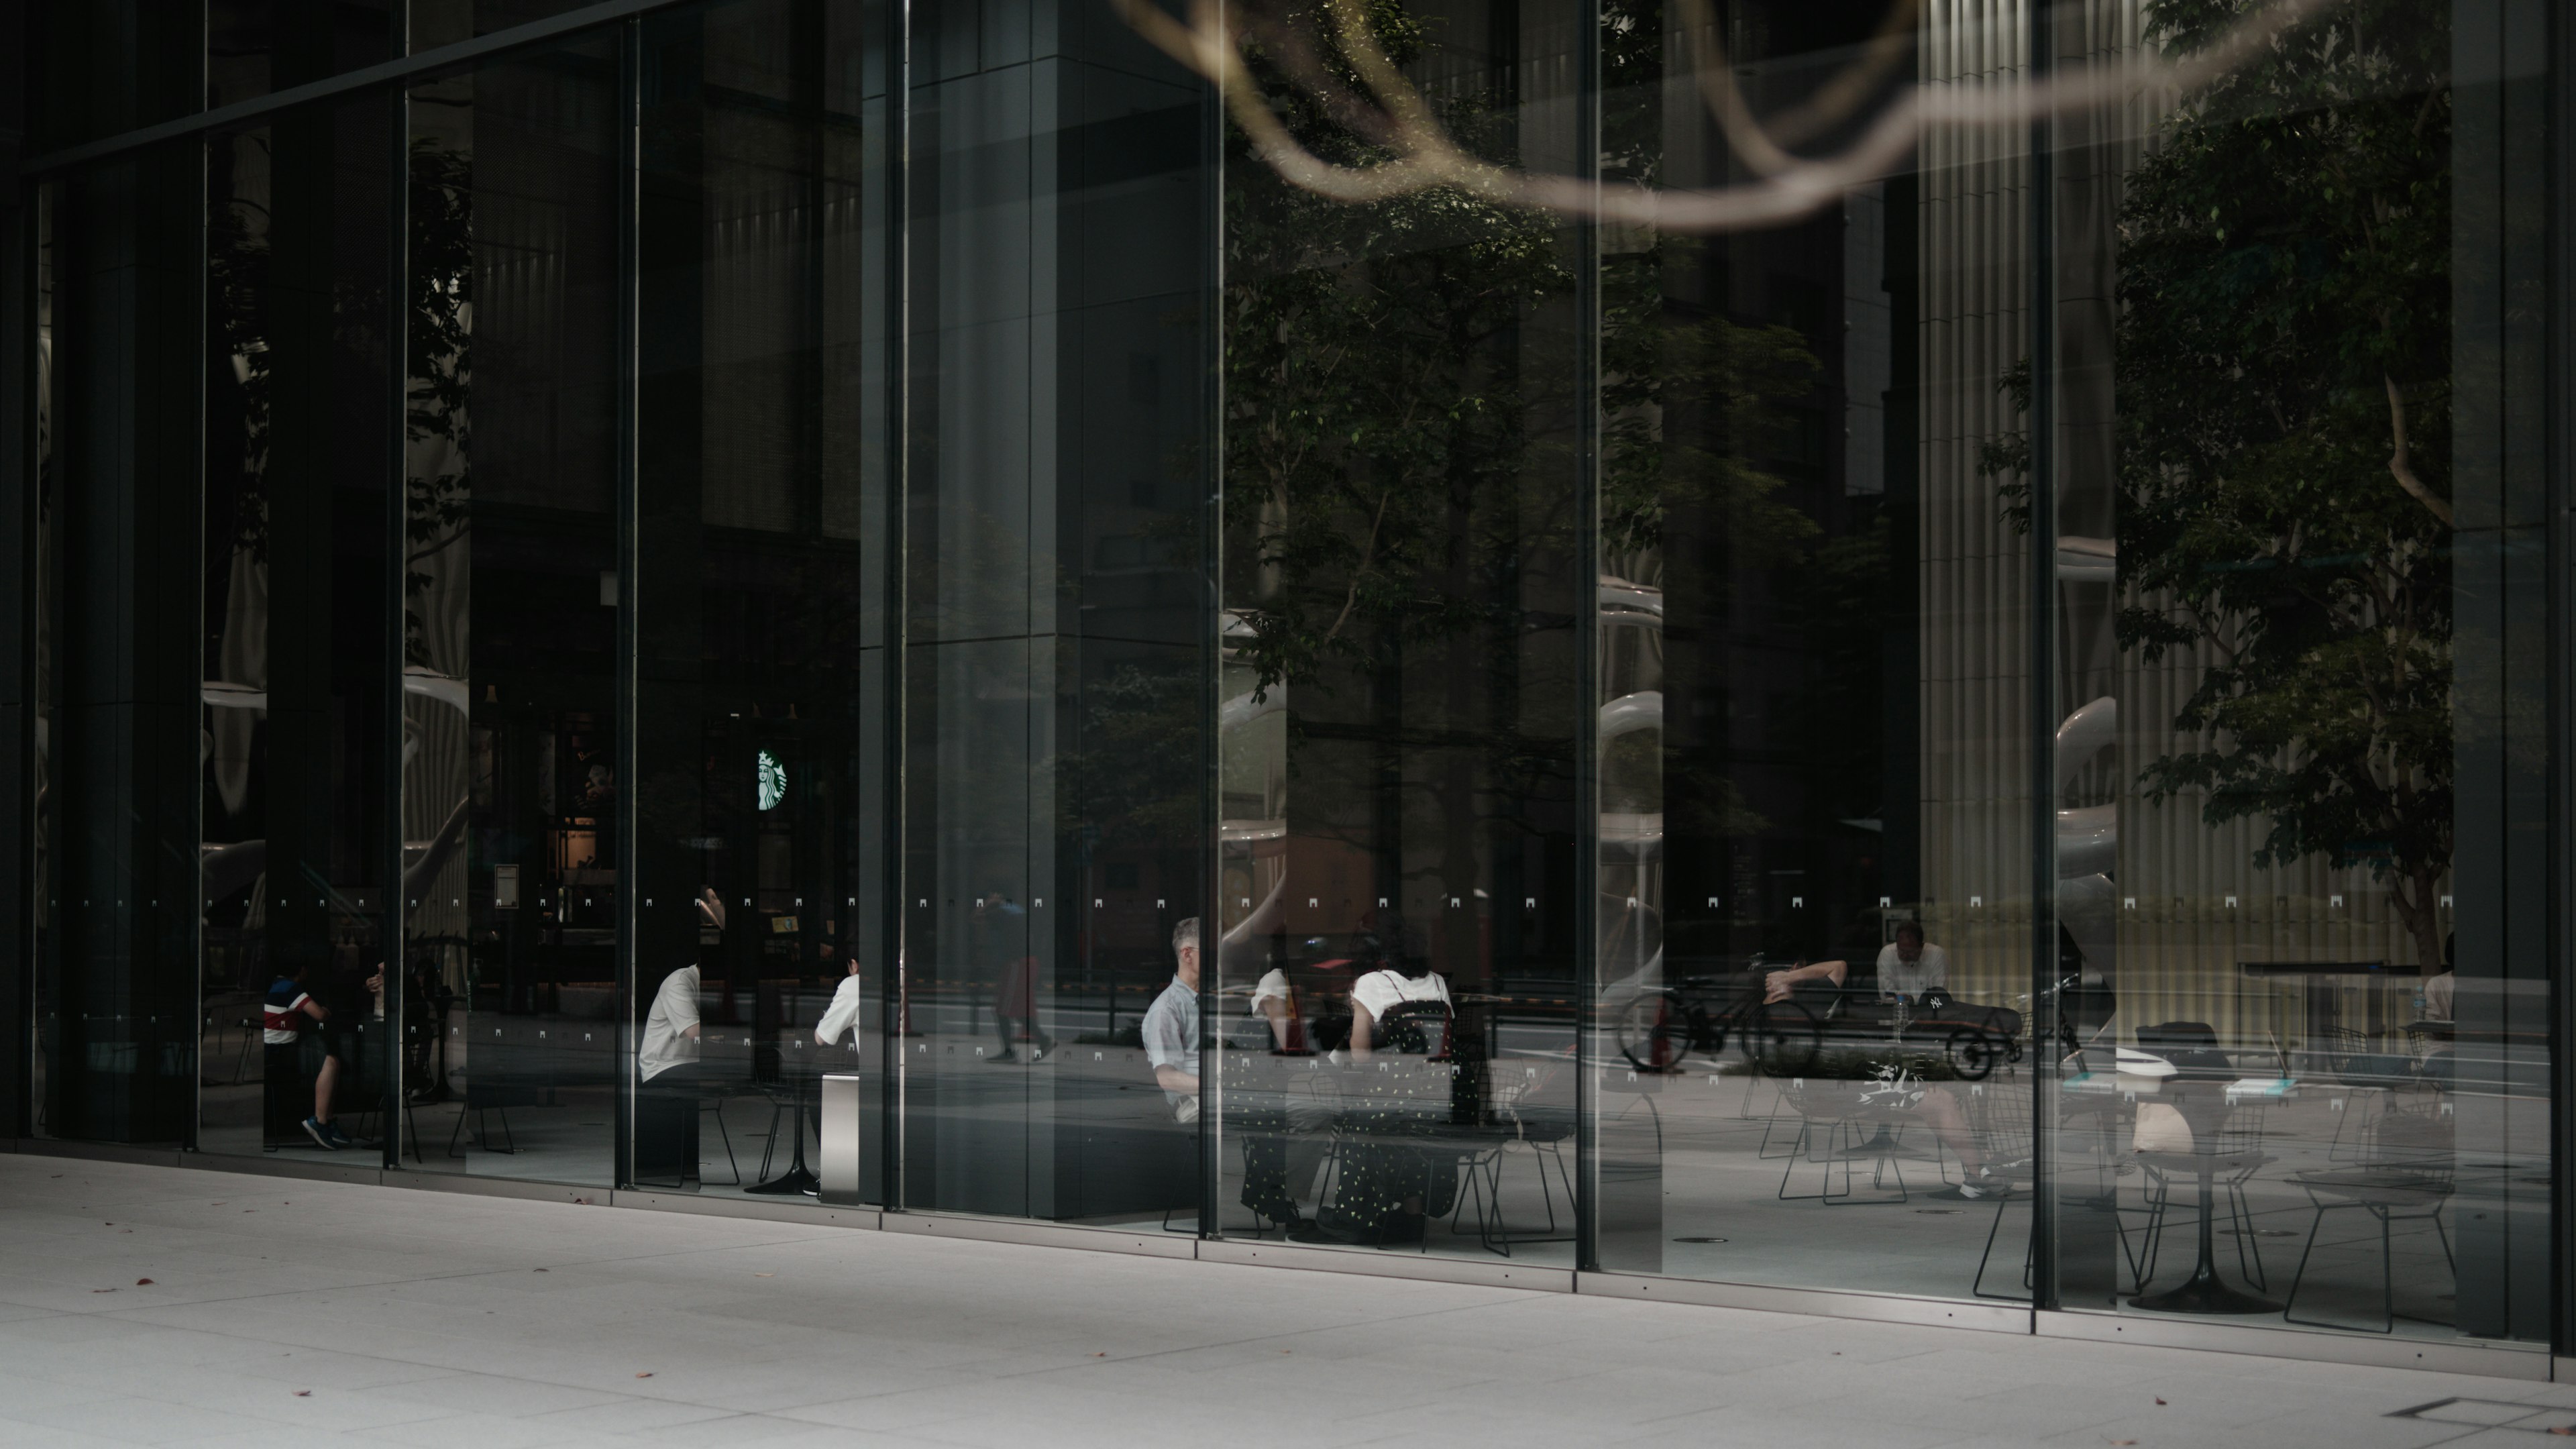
{"points": [[1057, 615]]}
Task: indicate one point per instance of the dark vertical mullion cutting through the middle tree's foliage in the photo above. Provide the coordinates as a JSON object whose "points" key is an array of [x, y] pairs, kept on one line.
{"points": [[1588, 463]]}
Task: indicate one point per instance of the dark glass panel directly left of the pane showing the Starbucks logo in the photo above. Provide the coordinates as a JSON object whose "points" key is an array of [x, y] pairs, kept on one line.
{"points": [[511, 785]]}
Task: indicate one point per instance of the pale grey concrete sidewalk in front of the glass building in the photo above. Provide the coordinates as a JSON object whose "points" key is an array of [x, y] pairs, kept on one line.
{"points": [[285, 1314]]}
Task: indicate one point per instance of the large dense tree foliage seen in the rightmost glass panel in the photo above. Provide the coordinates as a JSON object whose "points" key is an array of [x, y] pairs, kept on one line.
{"points": [[2284, 427]]}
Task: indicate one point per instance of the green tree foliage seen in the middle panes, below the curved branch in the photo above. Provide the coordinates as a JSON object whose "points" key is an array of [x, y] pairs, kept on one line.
{"points": [[1392, 383]]}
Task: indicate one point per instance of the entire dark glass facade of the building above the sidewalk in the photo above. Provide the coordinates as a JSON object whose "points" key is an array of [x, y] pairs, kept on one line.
{"points": [[916, 607]]}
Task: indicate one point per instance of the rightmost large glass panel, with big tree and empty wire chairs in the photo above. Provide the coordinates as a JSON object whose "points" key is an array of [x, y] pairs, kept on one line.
{"points": [[2299, 623]]}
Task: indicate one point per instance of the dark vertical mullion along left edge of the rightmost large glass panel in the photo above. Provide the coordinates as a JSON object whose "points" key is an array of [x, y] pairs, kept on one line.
{"points": [[2041, 705]]}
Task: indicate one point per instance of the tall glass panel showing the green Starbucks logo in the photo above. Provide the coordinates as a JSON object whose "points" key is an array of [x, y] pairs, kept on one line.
{"points": [[759, 584]]}
